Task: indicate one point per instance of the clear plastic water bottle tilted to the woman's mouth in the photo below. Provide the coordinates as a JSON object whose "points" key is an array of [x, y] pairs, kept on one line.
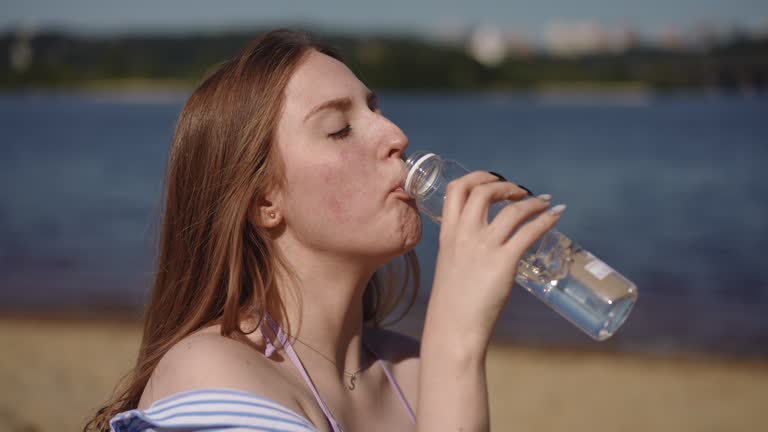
{"points": [[579, 286]]}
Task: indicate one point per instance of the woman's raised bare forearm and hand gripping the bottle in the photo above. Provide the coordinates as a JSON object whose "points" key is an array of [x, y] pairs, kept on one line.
{"points": [[476, 268]]}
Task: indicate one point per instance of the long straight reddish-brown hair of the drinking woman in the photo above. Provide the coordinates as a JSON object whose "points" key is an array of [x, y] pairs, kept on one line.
{"points": [[214, 265]]}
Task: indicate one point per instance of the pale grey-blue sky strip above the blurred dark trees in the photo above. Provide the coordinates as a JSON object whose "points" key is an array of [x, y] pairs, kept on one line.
{"points": [[409, 16]]}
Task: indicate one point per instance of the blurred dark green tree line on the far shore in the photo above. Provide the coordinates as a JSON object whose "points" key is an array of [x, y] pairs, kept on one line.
{"points": [[57, 59]]}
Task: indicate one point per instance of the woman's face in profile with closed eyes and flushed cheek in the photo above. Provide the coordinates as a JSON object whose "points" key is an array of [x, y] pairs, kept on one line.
{"points": [[343, 160]]}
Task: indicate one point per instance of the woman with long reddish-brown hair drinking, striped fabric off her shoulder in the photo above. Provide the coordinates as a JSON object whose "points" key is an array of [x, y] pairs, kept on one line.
{"points": [[284, 204]]}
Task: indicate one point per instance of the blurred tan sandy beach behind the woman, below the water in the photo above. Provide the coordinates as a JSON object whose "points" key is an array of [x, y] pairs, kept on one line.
{"points": [[55, 372]]}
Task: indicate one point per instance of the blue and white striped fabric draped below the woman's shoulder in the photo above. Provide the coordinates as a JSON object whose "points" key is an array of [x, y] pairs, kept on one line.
{"points": [[212, 410]]}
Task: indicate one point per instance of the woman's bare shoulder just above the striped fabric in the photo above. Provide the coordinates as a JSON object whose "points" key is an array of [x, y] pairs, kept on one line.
{"points": [[207, 360]]}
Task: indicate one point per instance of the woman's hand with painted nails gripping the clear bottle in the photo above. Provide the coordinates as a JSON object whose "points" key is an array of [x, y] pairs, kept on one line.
{"points": [[477, 261]]}
